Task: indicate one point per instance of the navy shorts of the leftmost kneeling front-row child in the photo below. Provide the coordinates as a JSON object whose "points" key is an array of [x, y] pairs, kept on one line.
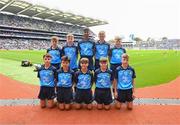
{"points": [[46, 93]]}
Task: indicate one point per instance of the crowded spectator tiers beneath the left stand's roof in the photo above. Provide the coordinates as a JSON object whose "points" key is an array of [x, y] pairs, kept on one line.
{"points": [[25, 33]]}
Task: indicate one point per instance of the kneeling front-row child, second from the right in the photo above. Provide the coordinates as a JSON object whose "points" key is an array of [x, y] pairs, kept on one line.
{"points": [[103, 79]]}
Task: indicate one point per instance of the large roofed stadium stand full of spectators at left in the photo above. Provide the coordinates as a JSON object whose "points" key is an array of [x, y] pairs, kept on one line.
{"points": [[27, 26]]}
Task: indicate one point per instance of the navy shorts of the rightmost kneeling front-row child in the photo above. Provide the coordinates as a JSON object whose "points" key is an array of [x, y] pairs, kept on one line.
{"points": [[125, 95]]}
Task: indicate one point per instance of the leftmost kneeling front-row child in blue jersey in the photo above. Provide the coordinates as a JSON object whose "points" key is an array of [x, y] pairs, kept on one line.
{"points": [[47, 75]]}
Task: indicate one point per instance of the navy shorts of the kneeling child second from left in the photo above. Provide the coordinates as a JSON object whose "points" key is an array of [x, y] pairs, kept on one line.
{"points": [[64, 95]]}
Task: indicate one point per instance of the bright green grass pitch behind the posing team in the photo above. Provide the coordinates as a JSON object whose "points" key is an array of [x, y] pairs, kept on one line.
{"points": [[152, 67]]}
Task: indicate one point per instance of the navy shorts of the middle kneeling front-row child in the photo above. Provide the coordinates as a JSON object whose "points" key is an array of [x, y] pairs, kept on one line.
{"points": [[83, 96]]}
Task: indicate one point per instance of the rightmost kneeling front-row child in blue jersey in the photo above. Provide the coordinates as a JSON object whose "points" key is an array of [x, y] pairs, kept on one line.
{"points": [[124, 84]]}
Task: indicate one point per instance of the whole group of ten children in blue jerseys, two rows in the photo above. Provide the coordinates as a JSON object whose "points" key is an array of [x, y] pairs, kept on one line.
{"points": [[62, 75]]}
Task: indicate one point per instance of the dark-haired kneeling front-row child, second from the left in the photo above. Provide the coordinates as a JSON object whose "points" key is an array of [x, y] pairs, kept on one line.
{"points": [[65, 78]]}
